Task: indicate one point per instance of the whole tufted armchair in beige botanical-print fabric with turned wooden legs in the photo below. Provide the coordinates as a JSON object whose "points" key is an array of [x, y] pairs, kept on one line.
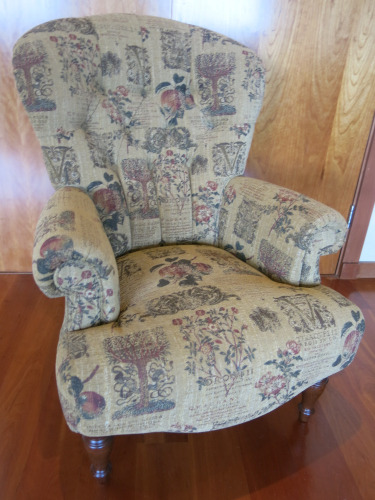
{"points": [[193, 296]]}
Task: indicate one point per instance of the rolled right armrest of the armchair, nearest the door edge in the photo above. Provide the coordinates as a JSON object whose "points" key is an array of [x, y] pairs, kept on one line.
{"points": [[279, 231]]}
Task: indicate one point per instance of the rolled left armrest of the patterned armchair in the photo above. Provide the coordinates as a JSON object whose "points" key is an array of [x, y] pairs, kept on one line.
{"points": [[72, 257]]}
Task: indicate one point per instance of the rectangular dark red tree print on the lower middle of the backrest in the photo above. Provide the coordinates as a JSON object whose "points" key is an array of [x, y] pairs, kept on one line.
{"points": [[141, 192]]}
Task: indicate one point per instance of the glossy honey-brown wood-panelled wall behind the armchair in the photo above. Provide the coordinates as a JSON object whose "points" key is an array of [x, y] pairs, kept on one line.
{"points": [[312, 131]]}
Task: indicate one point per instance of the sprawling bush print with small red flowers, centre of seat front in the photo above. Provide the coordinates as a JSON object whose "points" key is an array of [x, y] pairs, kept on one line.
{"points": [[217, 346]]}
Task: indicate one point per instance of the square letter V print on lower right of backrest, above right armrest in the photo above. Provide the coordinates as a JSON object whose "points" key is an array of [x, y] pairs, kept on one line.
{"points": [[229, 158]]}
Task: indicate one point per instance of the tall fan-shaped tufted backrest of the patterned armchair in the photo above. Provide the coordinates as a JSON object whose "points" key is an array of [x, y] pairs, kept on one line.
{"points": [[151, 117]]}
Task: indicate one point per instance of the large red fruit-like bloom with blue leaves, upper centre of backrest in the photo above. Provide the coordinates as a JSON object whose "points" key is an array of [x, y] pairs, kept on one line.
{"points": [[175, 99]]}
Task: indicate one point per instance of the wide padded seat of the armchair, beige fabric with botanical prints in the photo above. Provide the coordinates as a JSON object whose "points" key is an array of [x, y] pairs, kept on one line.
{"points": [[203, 341]]}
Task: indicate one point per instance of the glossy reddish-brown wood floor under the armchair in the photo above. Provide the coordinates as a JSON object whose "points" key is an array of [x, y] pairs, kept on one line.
{"points": [[274, 457]]}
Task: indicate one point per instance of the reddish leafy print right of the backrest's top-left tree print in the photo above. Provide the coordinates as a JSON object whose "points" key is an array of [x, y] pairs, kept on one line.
{"points": [[80, 60]]}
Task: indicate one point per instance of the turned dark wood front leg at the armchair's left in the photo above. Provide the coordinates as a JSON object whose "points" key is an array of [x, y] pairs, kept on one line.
{"points": [[99, 450]]}
